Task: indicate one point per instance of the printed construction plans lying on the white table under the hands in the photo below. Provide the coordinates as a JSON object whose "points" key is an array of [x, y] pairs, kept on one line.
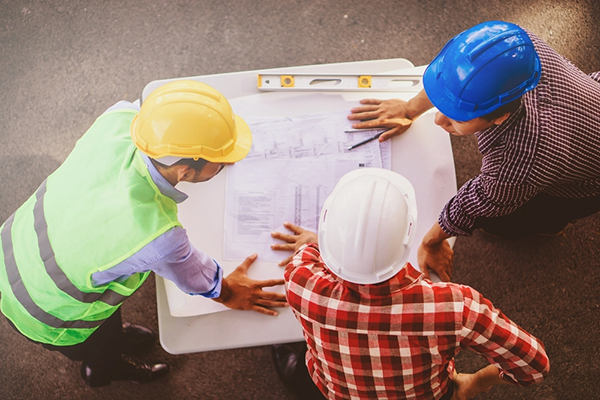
{"points": [[293, 166]]}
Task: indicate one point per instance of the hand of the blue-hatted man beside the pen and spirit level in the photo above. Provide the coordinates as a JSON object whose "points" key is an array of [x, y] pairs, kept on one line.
{"points": [[392, 114]]}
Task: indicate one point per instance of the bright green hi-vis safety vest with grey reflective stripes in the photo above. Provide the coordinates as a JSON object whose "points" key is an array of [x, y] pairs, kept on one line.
{"points": [[96, 210]]}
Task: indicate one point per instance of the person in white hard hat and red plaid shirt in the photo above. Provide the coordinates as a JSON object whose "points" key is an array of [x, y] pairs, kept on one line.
{"points": [[374, 326]]}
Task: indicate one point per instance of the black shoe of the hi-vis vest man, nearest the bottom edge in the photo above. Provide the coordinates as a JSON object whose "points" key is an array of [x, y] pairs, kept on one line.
{"points": [[125, 371]]}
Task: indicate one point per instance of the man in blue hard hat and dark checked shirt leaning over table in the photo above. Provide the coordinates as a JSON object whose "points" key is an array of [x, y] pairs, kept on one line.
{"points": [[537, 121]]}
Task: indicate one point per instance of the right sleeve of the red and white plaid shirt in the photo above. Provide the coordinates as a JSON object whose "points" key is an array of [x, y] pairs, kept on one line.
{"points": [[519, 356]]}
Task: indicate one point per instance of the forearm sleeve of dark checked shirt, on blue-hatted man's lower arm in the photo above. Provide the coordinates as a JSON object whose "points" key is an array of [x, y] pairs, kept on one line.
{"points": [[482, 196]]}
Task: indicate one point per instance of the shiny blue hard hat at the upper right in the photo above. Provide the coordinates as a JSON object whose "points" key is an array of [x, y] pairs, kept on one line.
{"points": [[481, 69]]}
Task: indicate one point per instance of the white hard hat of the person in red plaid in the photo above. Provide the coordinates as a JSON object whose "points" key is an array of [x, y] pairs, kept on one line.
{"points": [[367, 225]]}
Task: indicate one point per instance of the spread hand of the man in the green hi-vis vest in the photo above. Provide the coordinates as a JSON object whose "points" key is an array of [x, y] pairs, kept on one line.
{"points": [[239, 292]]}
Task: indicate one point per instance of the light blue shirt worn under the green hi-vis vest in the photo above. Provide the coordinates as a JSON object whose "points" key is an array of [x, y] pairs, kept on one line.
{"points": [[170, 255]]}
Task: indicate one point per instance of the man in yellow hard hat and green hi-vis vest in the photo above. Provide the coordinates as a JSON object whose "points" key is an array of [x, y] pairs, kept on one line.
{"points": [[95, 229]]}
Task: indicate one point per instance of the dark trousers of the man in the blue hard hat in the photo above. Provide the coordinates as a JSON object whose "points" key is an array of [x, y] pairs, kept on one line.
{"points": [[542, 214]]}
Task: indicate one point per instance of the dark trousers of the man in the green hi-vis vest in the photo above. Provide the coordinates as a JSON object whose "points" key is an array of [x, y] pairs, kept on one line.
{"points": [[102, 349]]}
